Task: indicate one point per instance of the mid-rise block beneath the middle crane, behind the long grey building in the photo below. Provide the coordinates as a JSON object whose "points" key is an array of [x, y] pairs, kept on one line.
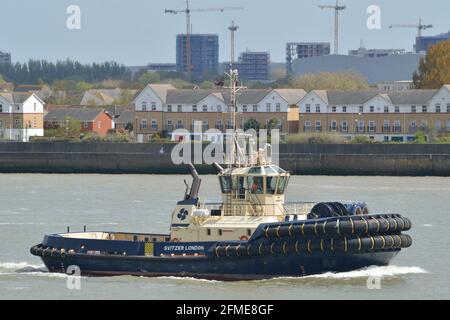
{"points": [[300, 50]]}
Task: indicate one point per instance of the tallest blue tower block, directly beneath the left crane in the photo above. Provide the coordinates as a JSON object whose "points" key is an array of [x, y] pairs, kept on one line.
{"points": [[204, 53]]}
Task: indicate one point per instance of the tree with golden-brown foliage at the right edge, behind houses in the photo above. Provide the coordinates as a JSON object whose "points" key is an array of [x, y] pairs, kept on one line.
{"points": [[433, 71]]}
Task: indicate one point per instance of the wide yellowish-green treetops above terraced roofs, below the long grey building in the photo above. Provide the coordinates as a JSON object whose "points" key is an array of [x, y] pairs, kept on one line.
{"points": [[330, 81]]}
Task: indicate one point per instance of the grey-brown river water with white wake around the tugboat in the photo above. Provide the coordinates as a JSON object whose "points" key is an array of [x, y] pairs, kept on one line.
{"points": [[32, 205]]}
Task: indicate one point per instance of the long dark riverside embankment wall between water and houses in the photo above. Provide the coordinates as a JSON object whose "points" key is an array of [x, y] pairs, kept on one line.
{"points": [[307, 159]]}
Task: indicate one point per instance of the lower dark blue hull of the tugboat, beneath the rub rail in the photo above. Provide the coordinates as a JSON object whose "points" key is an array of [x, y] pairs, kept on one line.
{"points": [[210, 267]]}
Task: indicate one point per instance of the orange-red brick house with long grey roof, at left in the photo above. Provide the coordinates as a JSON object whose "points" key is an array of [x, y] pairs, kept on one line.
{"points": [[95, 120]]}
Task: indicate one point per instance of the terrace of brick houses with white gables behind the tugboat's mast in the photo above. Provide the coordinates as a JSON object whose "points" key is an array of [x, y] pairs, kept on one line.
{"points": [[164, 108]]}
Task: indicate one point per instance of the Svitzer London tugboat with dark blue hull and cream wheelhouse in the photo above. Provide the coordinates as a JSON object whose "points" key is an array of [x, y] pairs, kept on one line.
{"points": [[252, 234]]}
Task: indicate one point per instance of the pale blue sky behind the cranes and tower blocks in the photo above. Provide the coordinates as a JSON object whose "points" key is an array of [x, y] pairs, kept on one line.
{"points": [[137, 32]]}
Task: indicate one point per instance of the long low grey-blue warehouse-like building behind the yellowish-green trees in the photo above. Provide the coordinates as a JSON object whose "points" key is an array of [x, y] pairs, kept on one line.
{"points": [[390, 68]]}
